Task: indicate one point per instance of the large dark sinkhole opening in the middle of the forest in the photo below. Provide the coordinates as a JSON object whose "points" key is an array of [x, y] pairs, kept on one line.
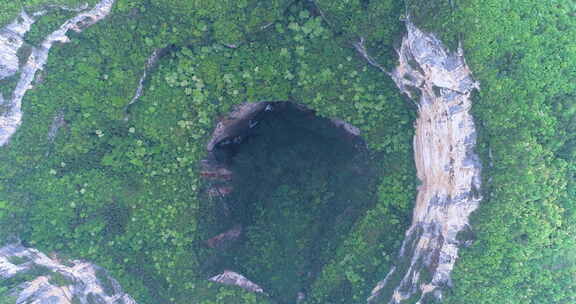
{"points": [[284, 187]]}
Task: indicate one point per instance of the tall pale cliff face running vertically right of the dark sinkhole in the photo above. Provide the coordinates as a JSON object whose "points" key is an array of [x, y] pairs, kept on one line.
{"points": [[440, 83]]}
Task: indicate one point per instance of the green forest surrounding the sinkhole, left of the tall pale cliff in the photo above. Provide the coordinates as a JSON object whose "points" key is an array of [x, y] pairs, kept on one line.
{"points": [[126, 194]]}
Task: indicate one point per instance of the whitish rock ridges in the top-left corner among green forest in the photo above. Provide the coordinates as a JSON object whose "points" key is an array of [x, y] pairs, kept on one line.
{"points": [[12, 39]]}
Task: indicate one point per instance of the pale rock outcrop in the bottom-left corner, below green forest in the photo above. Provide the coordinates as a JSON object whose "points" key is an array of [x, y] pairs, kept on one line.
{"points": [[54, 281]]}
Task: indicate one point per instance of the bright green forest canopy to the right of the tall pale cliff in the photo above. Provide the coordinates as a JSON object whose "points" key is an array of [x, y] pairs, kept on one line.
{"points": [[524, 57]]}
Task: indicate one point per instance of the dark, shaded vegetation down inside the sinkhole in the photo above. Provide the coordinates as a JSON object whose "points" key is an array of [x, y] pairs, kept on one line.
{"points": [[300, 186]]}
